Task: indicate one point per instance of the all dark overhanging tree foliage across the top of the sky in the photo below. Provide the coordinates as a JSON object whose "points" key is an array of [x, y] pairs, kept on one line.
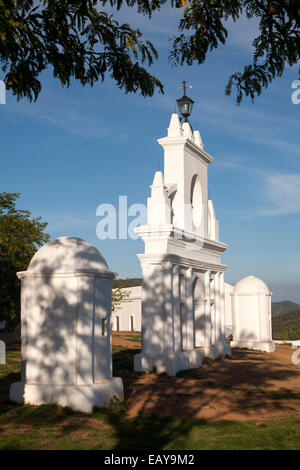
{"points": [[79, 40]]}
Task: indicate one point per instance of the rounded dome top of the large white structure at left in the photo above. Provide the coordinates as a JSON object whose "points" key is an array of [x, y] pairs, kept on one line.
{"points": [[65, 254]]}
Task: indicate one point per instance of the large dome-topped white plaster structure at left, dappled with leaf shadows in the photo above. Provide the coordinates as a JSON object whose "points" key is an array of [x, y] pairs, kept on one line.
{"points": [[65, 327]]}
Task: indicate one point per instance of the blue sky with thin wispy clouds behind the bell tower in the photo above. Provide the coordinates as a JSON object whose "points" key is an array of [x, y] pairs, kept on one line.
{"points": [[78, 147]]}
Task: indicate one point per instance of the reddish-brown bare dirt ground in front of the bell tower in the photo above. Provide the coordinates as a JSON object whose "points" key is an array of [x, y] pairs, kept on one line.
{"points": [[250, 385]]}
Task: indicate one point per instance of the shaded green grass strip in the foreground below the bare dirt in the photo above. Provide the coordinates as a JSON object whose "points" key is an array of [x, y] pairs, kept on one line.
{"points": [[53, 427]]}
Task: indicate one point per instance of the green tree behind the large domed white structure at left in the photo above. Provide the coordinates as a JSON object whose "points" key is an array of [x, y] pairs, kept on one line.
{"points": [[20, 237]]}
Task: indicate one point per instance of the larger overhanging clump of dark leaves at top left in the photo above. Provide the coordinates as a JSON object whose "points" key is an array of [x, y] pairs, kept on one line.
{"points": [[77, 40]]}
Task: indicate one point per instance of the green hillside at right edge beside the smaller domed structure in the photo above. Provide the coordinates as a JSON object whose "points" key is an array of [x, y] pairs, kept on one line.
{"points": [[286, 325]]}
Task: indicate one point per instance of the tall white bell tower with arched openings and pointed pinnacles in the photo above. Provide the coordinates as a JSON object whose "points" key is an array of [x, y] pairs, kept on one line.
{"points": [[183, 299]]}
